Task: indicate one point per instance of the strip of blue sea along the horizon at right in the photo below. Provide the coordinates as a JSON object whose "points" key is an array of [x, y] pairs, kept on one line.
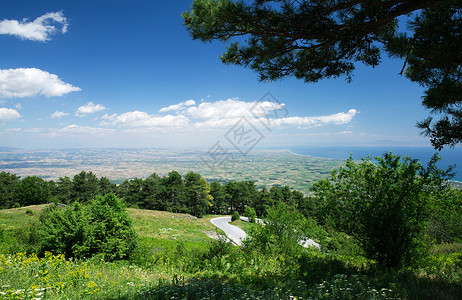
{"points": [[449, 156]]}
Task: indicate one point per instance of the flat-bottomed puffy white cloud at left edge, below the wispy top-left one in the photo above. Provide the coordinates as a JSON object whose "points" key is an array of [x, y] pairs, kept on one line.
{"points": [[27, 82]]}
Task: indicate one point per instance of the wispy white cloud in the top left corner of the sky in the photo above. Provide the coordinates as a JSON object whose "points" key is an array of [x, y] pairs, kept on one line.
{"points": [[38, 30]]}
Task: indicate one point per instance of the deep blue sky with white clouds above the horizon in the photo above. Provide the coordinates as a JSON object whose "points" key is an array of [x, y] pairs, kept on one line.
{"points": [[127, 74]]}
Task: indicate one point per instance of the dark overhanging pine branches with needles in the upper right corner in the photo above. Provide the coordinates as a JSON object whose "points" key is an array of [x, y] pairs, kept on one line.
{"points": [[313, 39]]}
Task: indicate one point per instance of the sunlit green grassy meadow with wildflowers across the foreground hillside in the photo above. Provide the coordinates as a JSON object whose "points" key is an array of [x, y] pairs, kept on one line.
{"points": [[176, 259]]}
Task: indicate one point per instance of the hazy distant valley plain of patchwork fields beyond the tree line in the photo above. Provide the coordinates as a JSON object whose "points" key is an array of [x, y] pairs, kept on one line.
{"points": [[265, 167]]}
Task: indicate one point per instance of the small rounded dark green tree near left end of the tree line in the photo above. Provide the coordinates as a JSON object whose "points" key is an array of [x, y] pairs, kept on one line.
{"points": [[32, 190]]}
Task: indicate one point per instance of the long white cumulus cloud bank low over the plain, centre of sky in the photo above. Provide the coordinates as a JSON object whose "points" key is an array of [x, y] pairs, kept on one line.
{"points": [[222, 114]]}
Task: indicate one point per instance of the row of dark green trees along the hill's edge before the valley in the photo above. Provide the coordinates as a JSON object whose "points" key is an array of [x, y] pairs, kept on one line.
{"points": [[190, 193]]}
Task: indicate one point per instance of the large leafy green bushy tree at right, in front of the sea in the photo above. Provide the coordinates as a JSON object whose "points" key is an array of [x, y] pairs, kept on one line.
{"points": [[384, 203]]}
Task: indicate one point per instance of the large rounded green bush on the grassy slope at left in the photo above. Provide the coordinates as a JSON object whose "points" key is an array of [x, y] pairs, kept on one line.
{"points": [[83, 230]]}
